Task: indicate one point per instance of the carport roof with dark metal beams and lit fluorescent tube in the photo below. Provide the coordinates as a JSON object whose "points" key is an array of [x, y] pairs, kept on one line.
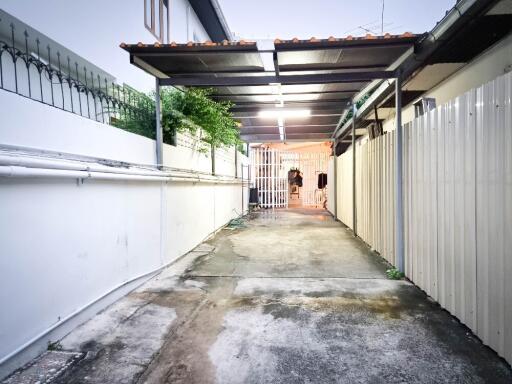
{"points": [[312, 81]]}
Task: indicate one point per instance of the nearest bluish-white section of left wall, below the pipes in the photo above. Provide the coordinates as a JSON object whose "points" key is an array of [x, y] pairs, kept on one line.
{"points": [[65, 244]]}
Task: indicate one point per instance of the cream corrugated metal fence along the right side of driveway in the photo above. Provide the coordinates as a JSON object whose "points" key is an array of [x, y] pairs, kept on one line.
{"points": [[457, 168]]}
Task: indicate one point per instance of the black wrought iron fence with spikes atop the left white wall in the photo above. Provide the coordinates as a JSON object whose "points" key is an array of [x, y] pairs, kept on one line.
{"points": [[43, 74]]}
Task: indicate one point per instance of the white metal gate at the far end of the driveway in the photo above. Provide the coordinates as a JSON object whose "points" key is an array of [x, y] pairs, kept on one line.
{"points": [[270, 175]]}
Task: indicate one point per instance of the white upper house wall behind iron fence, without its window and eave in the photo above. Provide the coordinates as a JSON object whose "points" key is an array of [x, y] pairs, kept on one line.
{"points": [[95, 29]]}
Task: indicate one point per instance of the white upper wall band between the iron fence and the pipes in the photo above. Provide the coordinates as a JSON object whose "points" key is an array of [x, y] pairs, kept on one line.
{"points": [[28, 123]]}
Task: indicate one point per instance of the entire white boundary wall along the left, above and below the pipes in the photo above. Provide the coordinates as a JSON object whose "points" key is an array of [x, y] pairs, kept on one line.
{"points": [[67, 244]]}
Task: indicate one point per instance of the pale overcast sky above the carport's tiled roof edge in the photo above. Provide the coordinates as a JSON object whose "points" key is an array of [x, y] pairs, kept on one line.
{"points": [[323, 18]]}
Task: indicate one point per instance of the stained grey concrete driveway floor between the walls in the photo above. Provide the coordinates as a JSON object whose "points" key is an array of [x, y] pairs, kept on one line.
{"points": [[291, 298]]}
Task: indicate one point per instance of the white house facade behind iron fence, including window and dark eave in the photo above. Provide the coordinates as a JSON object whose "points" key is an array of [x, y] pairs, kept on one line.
{"points": [[100, 26]]}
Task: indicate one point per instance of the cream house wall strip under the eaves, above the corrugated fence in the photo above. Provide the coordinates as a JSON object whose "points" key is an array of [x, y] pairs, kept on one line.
{"points": [[492, 63]]}
